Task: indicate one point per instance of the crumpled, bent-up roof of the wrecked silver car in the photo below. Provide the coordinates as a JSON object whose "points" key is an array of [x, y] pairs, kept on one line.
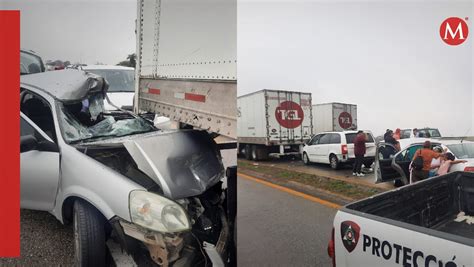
{"points": [[66, 85]]}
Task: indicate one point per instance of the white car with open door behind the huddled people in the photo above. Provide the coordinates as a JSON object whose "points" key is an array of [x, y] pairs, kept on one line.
{"points": [[392, 165]]}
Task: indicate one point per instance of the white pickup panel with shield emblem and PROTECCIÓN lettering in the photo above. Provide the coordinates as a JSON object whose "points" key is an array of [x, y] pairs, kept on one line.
{"points": [[366, 241]]}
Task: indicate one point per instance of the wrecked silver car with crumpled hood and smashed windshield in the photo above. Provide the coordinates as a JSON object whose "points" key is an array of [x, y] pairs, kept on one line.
{"points": [[160, 194]]}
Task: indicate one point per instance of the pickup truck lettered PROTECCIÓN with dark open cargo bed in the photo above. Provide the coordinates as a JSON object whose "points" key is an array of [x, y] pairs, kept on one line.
{"points": [[415, 225]]}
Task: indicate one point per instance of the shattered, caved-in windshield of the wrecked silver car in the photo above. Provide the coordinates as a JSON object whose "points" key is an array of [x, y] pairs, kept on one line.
{"points": [[85, 121]]}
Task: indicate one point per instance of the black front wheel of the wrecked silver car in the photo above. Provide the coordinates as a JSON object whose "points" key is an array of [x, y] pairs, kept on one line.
{"points": [[89, 235]]}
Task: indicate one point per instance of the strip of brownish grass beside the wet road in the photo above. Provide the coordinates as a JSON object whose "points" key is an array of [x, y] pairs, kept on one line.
{"points": [[283, 176]]}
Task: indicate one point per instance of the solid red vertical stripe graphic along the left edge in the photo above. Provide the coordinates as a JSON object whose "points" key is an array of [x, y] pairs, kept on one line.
{"points": [[10, 133]]}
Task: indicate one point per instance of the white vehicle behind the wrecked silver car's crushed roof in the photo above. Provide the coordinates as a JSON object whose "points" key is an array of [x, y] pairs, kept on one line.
{"points": [[121, 83]]}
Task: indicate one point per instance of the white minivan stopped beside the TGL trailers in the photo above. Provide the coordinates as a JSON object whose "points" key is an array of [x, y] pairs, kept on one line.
{"points": [[336, 148]]}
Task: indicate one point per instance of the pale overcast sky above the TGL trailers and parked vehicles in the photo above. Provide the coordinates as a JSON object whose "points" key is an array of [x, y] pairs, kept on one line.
{"points": [[386, 57]]}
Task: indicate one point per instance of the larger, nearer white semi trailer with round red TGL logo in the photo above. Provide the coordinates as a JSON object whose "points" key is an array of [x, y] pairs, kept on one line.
{"points": [[273, 122]]}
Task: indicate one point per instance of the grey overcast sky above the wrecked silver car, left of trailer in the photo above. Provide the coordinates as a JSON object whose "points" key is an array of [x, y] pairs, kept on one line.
{"points": [[91, 31]]}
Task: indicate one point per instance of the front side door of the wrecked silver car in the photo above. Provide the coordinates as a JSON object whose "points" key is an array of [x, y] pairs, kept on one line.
{"points": [[39, 167]]}
